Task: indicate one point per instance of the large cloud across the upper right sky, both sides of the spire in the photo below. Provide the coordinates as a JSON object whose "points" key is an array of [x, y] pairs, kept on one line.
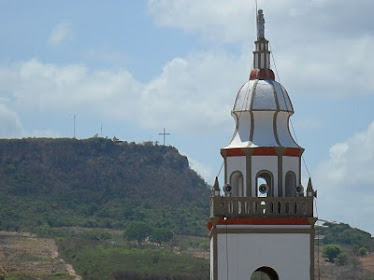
{"points": [[319, 46]]}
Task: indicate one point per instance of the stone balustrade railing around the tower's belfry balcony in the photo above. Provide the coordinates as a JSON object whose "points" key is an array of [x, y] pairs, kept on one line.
{"points": [[261, 206]]}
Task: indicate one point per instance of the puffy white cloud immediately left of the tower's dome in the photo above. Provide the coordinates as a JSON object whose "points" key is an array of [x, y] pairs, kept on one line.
{"points": [[196, 91]]}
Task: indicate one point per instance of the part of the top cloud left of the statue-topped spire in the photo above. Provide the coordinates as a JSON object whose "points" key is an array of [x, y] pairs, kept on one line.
{"points": [[219, 20]]}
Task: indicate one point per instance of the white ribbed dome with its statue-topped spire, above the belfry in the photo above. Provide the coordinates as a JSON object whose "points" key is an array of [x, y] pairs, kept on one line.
{"points": [[262, 107]]}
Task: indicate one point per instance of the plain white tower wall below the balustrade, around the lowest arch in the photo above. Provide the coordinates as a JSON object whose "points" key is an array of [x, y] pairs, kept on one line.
{"points": [[288, 254]]}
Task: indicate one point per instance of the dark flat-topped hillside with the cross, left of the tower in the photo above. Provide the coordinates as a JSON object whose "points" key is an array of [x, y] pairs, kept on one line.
{"points": [[98, 183]]}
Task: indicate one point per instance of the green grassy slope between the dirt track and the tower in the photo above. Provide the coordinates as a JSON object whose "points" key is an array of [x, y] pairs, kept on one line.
{"points": [[114, 258]]}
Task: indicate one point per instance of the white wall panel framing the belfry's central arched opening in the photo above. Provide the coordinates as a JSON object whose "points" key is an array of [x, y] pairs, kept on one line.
{"points": [[269, 163]]}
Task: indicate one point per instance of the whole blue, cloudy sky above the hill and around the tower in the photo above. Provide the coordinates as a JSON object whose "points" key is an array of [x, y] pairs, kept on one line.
{"points": [[131, 68]]}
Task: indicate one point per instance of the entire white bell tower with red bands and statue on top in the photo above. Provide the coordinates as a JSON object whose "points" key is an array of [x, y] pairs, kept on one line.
{"points": [[264, 224]]}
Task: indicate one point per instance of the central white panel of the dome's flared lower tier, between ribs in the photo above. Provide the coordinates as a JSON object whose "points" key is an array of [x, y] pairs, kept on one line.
{"points": [[263, 133]]}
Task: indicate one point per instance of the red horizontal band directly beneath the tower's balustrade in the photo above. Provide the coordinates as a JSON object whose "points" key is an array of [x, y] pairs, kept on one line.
{"points": [[260, 221]]}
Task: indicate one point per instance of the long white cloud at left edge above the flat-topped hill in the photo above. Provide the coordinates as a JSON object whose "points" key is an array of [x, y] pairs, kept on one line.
{"points": [[34, 85]]}
